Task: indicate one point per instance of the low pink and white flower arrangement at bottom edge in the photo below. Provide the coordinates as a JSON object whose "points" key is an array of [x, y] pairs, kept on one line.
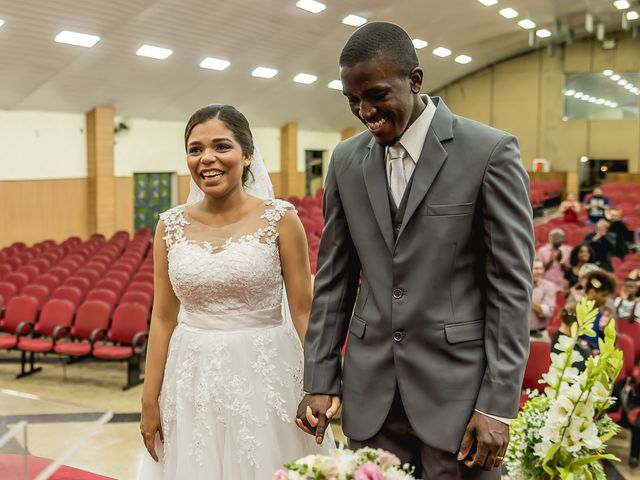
{"points": [[343, 464]]}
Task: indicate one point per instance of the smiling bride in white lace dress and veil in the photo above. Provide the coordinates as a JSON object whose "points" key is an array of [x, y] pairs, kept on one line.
{"points": [[224, 368]]}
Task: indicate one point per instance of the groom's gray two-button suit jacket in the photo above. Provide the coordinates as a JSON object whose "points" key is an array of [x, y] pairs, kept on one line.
{"points": [[442, 311]]}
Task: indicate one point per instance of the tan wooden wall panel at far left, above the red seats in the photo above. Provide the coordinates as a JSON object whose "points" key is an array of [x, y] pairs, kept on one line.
{"points": [[35, 210]]}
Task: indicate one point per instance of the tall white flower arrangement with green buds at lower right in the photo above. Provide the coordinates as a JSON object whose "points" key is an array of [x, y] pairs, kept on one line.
{"points": [[561, 433]]}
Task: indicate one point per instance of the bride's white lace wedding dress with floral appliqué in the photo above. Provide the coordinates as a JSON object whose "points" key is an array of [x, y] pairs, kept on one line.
{"points": [[233, 377]]}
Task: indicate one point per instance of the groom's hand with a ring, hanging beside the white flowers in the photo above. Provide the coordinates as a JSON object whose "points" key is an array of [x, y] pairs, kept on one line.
{"points": [[490, 437]]}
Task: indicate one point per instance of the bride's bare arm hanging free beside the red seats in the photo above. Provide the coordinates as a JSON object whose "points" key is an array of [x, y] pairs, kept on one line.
{"points": [[163, 320]]}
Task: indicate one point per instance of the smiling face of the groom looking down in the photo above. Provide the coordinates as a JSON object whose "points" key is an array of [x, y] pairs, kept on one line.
{"points": [[382, 96]]}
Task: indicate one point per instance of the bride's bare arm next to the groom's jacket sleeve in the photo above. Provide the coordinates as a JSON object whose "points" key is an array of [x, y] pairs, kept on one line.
{"points": [[294, 258]]}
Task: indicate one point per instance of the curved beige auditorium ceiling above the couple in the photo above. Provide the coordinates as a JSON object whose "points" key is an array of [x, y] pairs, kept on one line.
{"points": [[37, 73]]}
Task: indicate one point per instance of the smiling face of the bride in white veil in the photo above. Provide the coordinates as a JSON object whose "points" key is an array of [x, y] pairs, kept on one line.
{"points": [[215, 158]]}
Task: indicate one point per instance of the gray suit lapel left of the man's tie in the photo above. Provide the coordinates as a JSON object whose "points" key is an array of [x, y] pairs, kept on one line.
{"points": [[375, 179]]}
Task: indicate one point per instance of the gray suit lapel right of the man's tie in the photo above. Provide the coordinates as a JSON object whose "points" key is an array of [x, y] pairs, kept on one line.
{"points": [[432, 158]]}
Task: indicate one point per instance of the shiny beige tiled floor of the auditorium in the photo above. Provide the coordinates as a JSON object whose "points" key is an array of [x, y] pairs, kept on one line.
{"points": [[116, 449]]}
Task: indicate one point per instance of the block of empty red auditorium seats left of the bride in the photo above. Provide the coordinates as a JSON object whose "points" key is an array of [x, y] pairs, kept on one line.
{"points": [[107, 287]]}
